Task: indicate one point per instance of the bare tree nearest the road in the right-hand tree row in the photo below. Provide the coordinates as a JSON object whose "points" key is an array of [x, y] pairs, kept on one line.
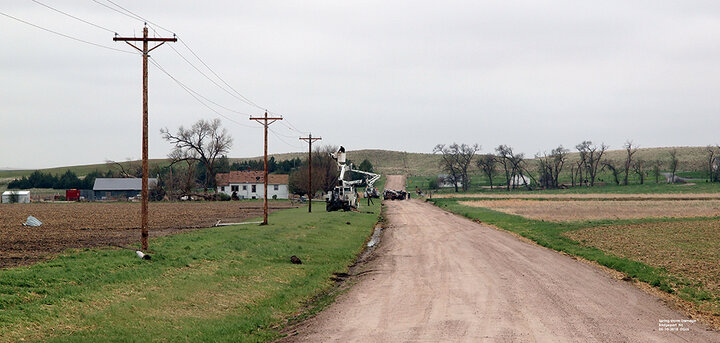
{"points": [[456, 160]]}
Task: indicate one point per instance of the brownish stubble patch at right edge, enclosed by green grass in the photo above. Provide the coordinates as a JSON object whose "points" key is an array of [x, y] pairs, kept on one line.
{"points": [[690, 249]]}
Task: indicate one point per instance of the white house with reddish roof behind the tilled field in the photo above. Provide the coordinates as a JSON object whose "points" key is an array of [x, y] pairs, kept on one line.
{"points": [[250, 184]]}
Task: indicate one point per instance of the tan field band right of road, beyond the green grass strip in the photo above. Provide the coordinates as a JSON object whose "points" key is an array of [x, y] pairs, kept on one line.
{"points": [[572, 210]]}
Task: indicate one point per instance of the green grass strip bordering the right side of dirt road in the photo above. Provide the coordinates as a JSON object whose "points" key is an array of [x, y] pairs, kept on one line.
{"points": [[554, 235]]}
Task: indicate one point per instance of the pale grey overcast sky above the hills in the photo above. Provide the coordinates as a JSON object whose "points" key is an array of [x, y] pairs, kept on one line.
{"points": [[400, 75]]}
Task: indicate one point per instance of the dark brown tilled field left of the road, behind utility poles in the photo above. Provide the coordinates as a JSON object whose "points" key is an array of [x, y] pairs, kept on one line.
{"points": [[85, 225]]}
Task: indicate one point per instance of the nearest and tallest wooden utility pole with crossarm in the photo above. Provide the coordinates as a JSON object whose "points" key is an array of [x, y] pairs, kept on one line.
{"points": [[145, 39]]}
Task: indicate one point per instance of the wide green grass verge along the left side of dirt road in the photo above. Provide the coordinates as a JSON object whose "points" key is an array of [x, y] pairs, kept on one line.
{"points": [[232, 284]]}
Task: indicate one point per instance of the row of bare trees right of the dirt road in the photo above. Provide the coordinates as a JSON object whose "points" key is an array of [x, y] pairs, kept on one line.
{"points": [[457, 159]]}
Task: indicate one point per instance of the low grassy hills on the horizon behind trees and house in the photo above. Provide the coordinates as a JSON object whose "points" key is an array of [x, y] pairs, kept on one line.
{"points": [[397, 162]]}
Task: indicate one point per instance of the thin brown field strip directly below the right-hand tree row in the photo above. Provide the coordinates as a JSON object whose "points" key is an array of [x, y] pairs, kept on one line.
{"points": [[603, 196]]}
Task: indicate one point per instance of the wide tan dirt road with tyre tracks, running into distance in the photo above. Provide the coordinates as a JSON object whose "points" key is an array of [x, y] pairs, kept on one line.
{"points": [[437, 277]]}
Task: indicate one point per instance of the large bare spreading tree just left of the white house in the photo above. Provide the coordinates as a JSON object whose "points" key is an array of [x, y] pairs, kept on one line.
{"points": [[204, 142]]}
